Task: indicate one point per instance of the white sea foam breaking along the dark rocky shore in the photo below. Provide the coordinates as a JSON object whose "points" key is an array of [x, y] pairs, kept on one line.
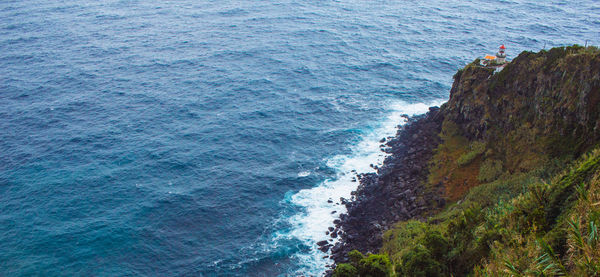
{"points": [[310, 225]]}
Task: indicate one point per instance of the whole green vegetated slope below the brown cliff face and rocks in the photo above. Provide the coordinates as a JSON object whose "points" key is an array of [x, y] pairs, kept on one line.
{"points": [[518, 226]]}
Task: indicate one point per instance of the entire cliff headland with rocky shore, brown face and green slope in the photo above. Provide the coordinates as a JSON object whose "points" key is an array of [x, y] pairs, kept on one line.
{"points": [[500, 180]]}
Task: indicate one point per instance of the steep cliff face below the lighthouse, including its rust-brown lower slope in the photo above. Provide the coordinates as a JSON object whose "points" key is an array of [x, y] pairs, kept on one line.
{"points": [[540, 107]]}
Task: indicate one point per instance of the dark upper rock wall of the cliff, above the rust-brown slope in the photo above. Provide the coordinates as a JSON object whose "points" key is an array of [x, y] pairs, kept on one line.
{"points": [[555, 93]]}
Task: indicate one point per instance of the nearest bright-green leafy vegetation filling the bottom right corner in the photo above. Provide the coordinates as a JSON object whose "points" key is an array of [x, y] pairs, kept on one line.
{"points": [[552, 229]]}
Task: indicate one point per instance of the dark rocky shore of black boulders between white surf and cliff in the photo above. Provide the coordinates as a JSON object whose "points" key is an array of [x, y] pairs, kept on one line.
{"points": [[392, 194]]}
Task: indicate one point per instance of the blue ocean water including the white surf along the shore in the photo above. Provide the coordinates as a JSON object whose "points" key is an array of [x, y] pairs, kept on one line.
{"points": [[204, 138]]}
